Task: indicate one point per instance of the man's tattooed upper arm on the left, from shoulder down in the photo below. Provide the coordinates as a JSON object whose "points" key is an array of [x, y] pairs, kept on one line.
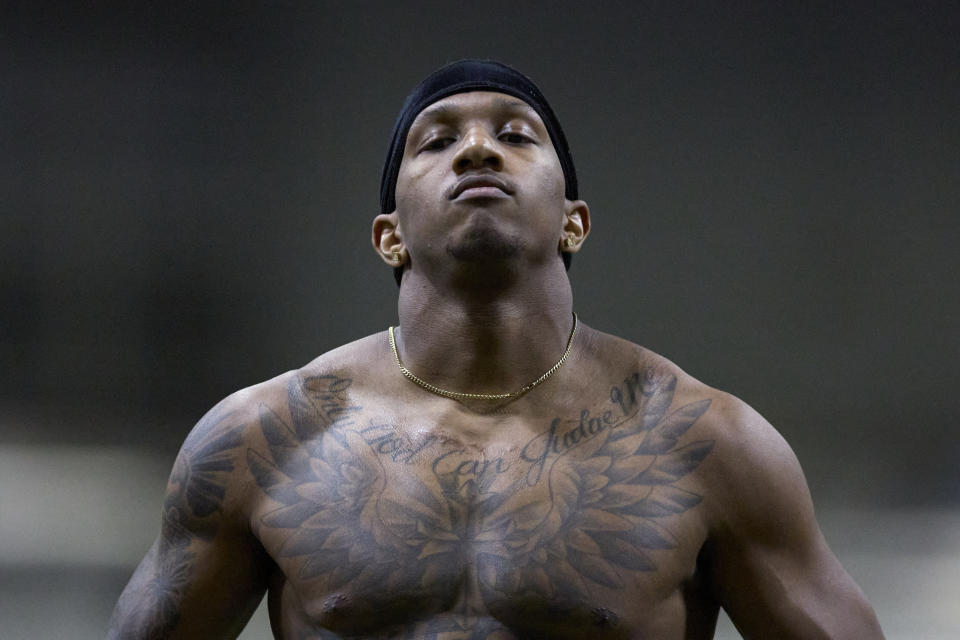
{"points": [[205, 573]]}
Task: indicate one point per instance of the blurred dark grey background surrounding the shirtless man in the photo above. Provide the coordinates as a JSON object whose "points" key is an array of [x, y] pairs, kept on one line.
{"points": [[186, 192]]}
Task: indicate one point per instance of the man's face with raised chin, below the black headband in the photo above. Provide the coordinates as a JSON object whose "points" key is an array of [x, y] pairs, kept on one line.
{"points": [[480, 181]]}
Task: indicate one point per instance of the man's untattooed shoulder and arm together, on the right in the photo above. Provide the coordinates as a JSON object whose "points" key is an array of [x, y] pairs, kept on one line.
{"points": [[764, 556]]}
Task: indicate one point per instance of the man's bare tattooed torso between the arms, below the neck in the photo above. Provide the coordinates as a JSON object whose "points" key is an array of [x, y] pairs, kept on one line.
{"points": [[571, 513]]}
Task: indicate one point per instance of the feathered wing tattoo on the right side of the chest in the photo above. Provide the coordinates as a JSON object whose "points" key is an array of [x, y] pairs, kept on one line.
{"points": [[607, 497]]}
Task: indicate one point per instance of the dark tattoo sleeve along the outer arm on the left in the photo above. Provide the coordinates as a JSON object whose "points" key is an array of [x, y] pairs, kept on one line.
{"points": [[150, 605]]}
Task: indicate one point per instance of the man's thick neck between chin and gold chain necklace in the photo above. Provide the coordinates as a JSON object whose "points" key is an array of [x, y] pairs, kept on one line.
{"points": [[484, 341]]}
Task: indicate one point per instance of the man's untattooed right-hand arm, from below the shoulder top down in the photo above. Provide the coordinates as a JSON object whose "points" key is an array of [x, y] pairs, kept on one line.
{"points": [[771, 568]]}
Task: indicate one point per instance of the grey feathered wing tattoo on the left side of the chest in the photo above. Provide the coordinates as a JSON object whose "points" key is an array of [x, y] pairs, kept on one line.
{"points": [[316, 469]]}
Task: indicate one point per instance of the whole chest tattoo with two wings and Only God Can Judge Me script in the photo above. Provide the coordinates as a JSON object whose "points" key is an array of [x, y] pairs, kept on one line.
{"points": [[470, 546]]}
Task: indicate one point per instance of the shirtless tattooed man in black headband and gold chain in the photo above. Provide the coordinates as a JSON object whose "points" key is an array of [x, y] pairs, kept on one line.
{"points": [[493, 468]]}
